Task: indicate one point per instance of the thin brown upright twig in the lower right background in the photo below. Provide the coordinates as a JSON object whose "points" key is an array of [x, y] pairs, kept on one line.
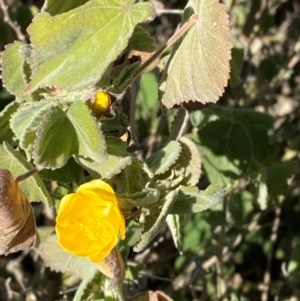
{"points": [[273, 238]]}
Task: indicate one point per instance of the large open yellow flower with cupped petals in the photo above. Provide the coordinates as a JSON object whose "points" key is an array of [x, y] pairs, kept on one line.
{"points": [[89, 221]]}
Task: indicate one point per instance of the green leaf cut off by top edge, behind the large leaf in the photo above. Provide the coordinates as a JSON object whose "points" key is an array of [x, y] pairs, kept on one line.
{"points": [[54, 7]]}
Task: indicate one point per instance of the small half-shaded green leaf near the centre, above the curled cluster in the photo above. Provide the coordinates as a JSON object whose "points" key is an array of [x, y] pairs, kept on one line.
{"points": [[164, 158]]}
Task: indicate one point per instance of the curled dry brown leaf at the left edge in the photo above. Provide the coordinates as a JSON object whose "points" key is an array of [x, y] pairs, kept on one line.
{"points": [[17, 223]]}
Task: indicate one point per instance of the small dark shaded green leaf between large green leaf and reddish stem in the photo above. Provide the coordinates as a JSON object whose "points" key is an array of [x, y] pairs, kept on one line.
{"points": [[141, 40]]}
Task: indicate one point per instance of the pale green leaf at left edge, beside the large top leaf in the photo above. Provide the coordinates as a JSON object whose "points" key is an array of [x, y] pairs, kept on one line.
{"points": [[12, 69]]}
